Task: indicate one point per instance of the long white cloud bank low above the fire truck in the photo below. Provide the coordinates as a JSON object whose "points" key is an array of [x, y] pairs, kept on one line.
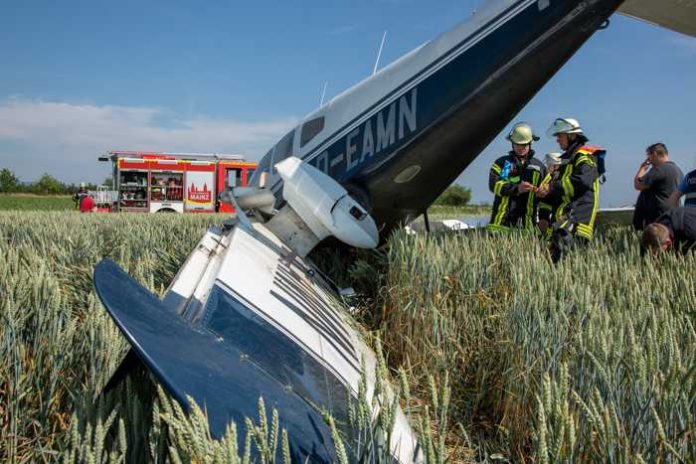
{"points": [[65, 139]]}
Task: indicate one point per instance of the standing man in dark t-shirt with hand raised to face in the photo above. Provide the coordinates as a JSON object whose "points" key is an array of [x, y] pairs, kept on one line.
{"points": [[657, 179]]}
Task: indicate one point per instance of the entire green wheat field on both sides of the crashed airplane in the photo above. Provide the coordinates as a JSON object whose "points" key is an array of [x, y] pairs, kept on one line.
{"points": [[500, 356]]}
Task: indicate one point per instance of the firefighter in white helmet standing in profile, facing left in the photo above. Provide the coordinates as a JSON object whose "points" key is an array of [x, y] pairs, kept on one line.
{"points": [[576, 189]]}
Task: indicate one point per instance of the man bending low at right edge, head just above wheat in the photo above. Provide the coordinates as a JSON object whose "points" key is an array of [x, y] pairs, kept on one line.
{"points": [[675, 230]]}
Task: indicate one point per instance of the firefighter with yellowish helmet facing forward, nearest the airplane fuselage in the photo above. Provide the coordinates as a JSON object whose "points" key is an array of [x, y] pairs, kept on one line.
{"points": [[513, 179]]}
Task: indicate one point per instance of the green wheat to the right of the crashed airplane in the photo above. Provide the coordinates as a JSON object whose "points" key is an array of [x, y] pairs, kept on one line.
{"points": [[590, 361]]}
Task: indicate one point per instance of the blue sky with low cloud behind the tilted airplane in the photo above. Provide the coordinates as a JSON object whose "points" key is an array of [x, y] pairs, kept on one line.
{"points": [[80, 78]]}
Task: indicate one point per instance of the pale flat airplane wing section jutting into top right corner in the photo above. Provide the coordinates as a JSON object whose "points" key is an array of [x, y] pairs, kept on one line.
{"points": [[678, 15]]}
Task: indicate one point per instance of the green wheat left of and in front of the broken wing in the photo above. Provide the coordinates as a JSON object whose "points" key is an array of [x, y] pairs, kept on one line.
{"points": [[58, 348]]}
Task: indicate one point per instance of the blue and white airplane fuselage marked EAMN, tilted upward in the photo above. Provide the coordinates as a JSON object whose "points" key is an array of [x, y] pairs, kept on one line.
{"points": [[400, 137]]}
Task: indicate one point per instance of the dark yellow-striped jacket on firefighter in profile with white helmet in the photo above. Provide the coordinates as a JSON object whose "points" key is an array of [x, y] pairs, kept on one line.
{"points": [[577, 188]]}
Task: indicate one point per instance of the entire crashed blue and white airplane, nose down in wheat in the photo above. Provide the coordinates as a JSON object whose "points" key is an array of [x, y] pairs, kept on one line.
{"points": [[249, 315]]}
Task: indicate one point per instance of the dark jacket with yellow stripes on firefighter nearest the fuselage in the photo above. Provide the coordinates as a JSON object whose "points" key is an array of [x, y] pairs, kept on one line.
{"points": [[511, 208]]}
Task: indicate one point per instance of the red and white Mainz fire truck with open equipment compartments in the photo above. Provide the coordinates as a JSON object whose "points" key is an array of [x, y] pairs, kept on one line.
{"points": [[172, 182]]}
